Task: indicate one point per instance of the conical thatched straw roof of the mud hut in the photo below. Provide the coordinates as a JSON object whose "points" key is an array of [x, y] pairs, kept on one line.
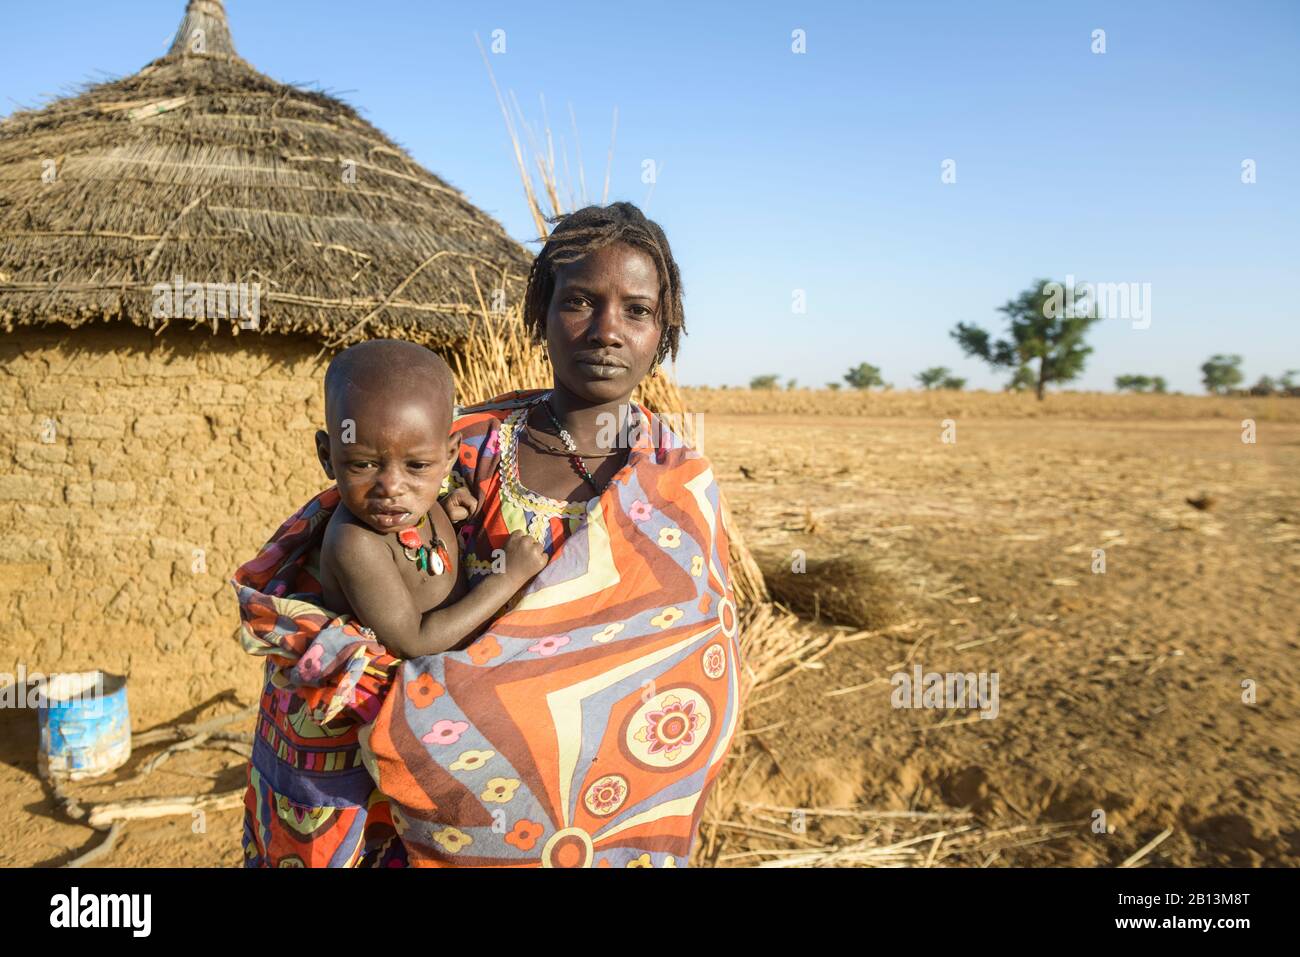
{"points": [[201, 167]]}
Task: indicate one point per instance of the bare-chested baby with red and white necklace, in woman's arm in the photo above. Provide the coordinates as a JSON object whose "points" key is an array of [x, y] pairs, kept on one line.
{"points": [[389, 557]]}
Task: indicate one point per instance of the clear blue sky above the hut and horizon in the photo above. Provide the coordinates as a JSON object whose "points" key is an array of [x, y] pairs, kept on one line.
{"points": [[822, 172]]}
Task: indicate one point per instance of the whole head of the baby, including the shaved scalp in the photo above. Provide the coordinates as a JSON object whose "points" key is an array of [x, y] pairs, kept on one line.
{"points": [[388, 413]]}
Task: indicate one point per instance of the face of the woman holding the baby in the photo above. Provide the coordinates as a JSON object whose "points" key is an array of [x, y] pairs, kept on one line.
{"points": [[604, 324]]}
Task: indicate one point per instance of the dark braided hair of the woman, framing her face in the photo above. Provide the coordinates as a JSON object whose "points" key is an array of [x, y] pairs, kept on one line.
{"points": [[591, 229]]}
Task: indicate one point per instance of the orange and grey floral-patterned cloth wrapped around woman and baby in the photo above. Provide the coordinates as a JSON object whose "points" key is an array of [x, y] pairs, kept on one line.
{"points": [[584, 728]]}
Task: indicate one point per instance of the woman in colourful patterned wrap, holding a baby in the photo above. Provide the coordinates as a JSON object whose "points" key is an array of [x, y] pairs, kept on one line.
{"points": [[587, 724]]}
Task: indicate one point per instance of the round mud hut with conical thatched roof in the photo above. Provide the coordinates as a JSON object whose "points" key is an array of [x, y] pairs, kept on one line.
{"points": [[180, 253]]}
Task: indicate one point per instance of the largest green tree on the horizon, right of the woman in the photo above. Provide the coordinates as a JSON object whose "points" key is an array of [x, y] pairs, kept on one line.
{"points": [[1048, 324]]}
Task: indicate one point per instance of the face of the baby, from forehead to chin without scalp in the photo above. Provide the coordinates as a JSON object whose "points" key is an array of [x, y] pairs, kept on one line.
{"points": [[389, 457]]}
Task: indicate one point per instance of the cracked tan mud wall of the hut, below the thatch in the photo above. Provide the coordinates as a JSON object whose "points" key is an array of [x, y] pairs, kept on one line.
{"points": [[136, 474]]}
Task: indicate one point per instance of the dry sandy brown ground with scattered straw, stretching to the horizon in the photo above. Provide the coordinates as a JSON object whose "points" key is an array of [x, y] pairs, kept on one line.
{"points": [[1119, 692]]}
